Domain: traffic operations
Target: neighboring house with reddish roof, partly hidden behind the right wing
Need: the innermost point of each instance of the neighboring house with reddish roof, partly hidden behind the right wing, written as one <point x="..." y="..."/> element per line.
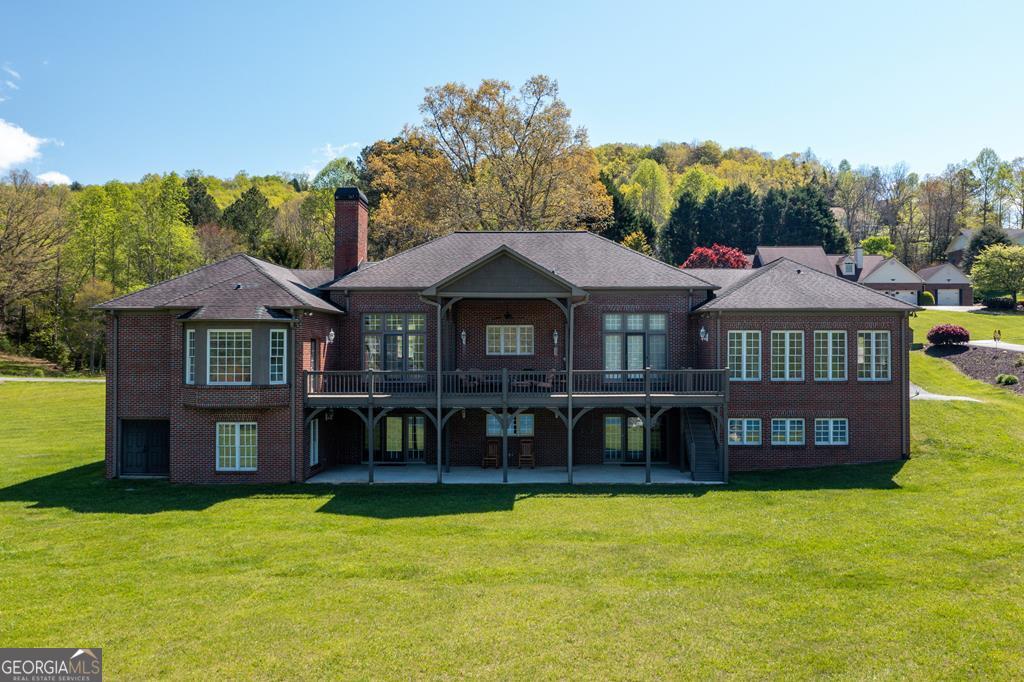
<point x="886" y="275"/>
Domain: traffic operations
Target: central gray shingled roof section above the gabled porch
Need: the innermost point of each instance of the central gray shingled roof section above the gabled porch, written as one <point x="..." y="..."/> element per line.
<point x="585" y="260"/>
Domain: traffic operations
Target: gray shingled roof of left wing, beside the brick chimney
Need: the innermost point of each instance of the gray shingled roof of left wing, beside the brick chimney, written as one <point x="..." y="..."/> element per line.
<point x="239" y="288"/>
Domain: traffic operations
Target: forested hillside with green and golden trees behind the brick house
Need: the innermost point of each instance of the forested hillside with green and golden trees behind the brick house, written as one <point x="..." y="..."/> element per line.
<point x="491" y="157"/>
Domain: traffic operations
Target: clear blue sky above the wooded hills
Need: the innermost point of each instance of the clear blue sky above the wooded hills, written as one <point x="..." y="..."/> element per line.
<point x="96" y="92"/>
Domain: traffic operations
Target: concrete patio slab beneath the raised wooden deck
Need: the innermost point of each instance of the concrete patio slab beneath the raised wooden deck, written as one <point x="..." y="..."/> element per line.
<point x="610" y="475"/>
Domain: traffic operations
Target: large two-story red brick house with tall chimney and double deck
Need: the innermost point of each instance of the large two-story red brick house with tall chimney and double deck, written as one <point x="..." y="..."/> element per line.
<point x="560" y="351"/>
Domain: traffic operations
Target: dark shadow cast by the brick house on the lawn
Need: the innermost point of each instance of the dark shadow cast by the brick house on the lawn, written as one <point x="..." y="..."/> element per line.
<point x="86" y="491"/>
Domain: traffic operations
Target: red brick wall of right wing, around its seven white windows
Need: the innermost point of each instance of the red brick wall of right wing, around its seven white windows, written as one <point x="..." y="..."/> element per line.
<point x="877" y="428"/>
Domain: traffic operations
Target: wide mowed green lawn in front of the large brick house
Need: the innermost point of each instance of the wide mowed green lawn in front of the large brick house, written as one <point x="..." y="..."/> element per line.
<point x="911" y="570"/>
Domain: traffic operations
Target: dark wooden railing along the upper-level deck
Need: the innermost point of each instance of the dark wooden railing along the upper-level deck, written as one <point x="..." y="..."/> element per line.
<point x="517" y="383"/>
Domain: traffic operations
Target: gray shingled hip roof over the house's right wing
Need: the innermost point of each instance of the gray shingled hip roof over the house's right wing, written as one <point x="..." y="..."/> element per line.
<point x="786" y="285"/>
